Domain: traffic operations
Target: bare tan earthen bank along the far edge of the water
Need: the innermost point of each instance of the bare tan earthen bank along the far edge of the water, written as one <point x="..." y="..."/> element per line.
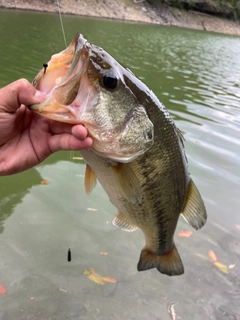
<point x="134" y="11"/>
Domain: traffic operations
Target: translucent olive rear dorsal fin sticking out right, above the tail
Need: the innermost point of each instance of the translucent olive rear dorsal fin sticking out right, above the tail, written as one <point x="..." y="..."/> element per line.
<point x="194" y="211"/>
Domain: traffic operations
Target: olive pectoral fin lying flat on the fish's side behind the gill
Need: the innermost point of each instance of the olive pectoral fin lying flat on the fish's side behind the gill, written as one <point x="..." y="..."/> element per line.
<point x="128" y="182"/>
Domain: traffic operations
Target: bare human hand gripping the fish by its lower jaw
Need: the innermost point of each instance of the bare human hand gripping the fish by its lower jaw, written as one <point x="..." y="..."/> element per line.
<point x="26" y="138"/>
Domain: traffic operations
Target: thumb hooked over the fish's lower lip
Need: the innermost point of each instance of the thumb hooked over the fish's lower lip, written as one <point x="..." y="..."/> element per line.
<point x="17" y="93"/>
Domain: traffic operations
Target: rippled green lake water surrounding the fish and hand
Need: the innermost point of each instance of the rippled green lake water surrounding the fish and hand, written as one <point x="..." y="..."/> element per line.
<point x="197" y="76"/>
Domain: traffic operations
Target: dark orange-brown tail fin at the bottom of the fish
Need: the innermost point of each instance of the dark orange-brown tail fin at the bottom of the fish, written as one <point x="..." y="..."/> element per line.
<point x="169" y="263"/>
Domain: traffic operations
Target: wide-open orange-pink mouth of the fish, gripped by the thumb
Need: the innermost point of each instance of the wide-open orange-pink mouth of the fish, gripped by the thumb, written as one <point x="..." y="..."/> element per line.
<point x="62" y="80"/>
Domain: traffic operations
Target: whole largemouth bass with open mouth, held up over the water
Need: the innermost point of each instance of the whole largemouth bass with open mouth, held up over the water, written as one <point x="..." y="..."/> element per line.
<point x="138" y="153"/>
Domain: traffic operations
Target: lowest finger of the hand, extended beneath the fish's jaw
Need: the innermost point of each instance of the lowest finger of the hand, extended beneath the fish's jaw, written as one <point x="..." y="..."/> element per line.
<point x="68" y="142"/>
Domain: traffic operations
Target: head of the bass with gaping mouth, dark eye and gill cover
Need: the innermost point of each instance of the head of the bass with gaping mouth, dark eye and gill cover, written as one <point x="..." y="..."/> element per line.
<point x="86" y="85"/>
